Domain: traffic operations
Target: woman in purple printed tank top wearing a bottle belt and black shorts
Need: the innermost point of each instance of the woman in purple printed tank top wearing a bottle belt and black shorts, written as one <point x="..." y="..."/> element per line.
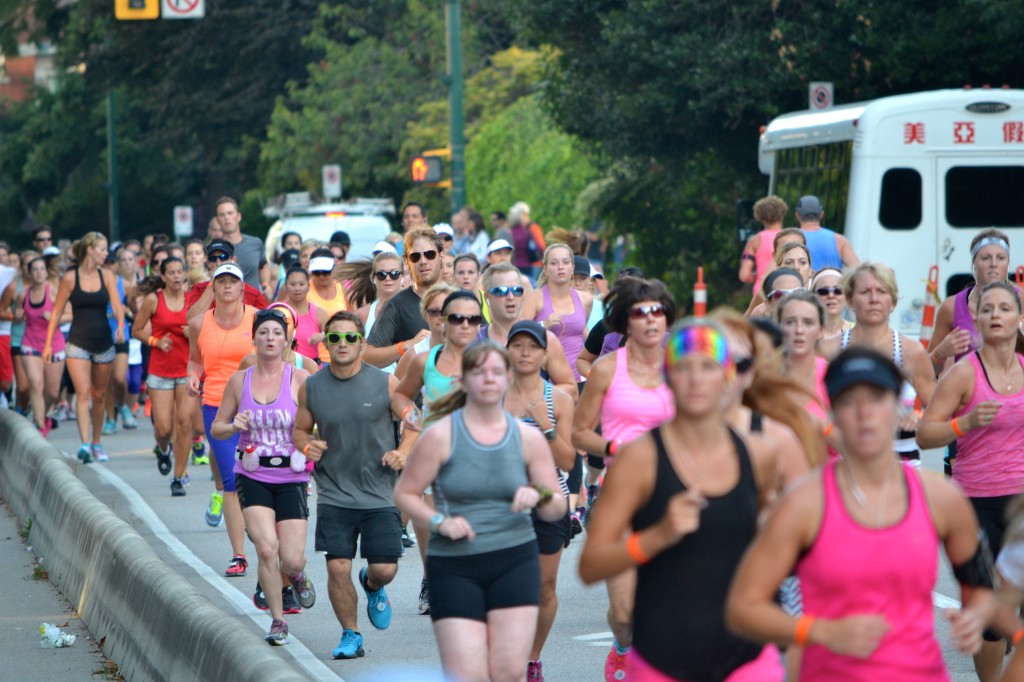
<point x="259" y="411"/>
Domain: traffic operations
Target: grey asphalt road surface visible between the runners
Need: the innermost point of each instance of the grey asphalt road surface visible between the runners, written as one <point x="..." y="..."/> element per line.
<point x="133" y="488"/>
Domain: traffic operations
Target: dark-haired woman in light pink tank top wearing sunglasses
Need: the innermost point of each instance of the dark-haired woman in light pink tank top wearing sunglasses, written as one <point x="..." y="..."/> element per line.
<point x="627" y="396"/>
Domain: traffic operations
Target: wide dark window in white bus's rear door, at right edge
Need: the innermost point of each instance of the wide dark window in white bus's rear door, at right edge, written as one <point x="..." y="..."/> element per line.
<point x="986" y="197"/>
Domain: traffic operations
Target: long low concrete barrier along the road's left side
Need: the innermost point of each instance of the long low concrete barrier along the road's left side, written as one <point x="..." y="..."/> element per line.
<point x="156" y="625"/>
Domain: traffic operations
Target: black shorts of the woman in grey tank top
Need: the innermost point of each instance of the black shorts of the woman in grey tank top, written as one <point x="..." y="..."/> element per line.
<point x="470" y="587"/>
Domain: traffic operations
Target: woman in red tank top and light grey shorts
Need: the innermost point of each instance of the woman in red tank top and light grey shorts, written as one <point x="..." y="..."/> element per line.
<point x="173" y="407"/>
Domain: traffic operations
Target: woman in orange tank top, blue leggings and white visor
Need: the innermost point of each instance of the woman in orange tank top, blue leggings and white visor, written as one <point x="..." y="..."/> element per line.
<point x="218" y="343"/>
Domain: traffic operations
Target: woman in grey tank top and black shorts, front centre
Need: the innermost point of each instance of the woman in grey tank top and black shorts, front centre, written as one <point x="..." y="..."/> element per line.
<point x="488" y="472"/>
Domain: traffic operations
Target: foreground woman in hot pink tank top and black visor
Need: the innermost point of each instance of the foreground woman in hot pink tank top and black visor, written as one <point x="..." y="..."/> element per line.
<point x="863" y="535"/>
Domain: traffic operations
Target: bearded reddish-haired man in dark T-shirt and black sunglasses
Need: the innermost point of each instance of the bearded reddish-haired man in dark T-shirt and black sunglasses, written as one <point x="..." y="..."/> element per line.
<point x="402" y="326"/>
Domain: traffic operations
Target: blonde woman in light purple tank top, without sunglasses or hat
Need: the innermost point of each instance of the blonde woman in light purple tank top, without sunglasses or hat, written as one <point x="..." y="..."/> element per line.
<point x="563" y="310"/>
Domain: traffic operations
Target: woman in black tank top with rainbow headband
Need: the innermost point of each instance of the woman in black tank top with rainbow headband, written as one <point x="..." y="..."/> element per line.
<point x="681" y="505"/>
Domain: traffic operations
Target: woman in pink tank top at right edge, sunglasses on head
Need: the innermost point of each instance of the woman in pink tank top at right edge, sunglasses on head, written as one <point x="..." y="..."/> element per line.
<point x="979" y="404"/>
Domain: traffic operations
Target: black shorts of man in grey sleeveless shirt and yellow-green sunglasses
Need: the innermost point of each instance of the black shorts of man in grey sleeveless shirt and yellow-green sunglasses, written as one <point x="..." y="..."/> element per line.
<point x="378" y="531"/>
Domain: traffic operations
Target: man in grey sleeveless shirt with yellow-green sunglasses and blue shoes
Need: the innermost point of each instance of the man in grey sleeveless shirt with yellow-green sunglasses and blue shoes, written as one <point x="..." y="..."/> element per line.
<point x="352" y="406"/>
